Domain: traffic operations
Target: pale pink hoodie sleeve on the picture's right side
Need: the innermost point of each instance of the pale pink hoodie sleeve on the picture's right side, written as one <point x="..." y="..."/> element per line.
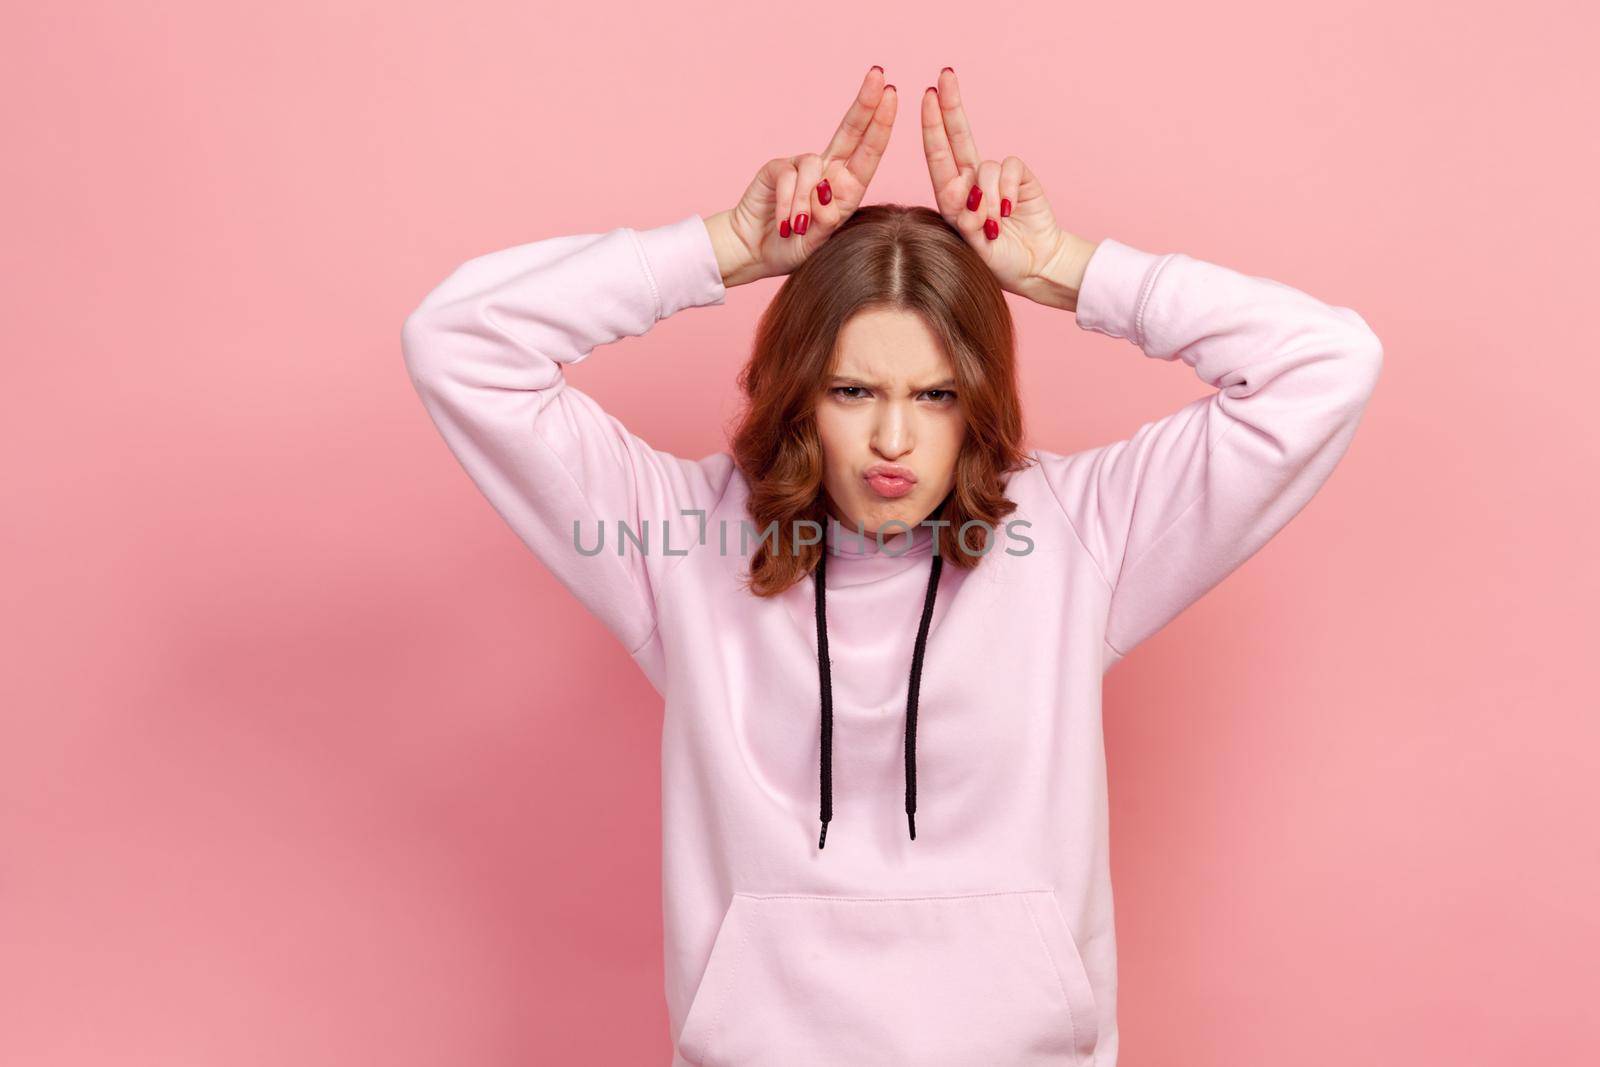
<point x="1169" y="513"/>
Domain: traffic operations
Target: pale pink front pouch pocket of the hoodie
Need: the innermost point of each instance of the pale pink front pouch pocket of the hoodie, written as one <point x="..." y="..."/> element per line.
<point x="982" y="978"/>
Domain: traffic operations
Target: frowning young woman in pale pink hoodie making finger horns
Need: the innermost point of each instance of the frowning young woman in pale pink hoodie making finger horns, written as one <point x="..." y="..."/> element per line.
<point x="879" y="621"/>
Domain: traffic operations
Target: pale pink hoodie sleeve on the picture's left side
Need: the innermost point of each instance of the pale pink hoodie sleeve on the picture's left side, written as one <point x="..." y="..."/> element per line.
<point x="487" y="351"/>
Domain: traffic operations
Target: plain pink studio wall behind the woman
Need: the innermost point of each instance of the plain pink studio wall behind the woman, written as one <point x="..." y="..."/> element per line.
<point x="305" y="759"/>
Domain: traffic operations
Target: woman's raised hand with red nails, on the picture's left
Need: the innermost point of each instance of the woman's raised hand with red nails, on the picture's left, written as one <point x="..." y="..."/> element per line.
<point x="796" y="202"/>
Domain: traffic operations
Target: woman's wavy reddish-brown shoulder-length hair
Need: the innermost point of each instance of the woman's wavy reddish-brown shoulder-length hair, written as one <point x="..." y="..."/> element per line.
<point x="884" y="257"/>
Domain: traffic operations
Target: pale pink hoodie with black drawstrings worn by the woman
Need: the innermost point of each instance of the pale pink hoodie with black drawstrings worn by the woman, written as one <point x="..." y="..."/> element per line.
<point x="990" y="938"/>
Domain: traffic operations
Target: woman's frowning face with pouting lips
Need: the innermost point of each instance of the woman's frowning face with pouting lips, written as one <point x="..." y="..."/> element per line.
<point x="889" y="410"/>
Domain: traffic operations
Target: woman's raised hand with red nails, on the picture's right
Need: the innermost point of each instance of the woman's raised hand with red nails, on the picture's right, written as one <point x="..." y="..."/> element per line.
<point x="1001" y="209"/>
